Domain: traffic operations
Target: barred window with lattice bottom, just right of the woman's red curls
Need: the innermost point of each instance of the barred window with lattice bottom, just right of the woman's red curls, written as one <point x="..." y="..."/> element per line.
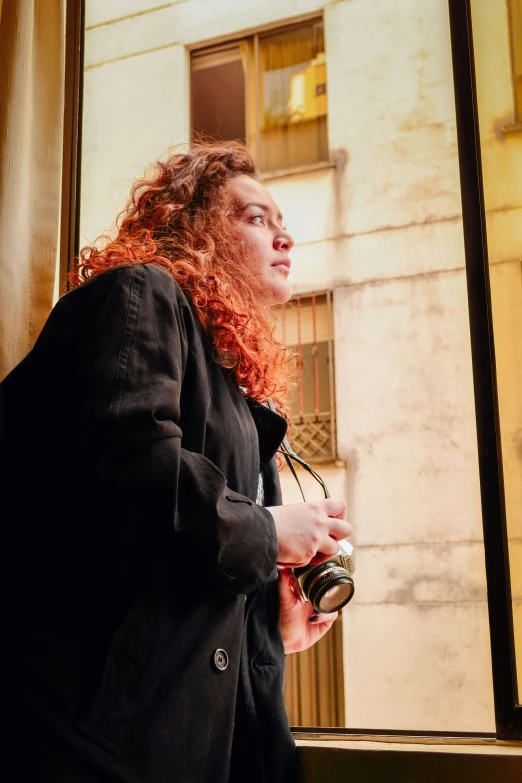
<point x="305" y="326"/>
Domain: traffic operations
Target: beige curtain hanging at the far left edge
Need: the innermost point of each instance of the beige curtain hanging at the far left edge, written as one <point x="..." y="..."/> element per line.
<point x="31" y="131"/>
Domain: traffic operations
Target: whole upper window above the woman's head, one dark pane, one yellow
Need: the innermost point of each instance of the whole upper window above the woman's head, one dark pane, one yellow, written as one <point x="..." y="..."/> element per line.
<point x="268" y="89"/>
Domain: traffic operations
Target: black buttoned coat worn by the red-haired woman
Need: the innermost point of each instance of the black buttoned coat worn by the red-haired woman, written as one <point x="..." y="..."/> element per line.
<point x="143" y="579"/>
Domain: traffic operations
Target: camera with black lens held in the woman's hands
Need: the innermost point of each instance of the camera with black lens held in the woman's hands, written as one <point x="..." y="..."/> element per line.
<point x="329" y="585"/>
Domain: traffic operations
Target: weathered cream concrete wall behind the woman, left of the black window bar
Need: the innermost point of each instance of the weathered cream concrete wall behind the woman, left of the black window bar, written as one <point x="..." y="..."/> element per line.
<point x="382" y="227"/>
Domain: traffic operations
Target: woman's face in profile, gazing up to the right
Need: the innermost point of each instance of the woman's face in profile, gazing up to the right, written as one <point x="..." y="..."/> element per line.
<point x="266" y="243"/>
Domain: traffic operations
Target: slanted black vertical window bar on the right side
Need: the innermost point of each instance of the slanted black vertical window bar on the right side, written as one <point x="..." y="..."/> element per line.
<point x="508" y="712"/>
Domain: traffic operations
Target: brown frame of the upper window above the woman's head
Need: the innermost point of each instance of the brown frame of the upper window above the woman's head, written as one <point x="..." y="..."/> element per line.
<point x="252" y="108"/>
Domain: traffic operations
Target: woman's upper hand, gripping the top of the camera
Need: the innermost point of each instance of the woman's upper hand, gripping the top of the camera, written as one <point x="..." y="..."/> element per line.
<point x="308" y="532"/>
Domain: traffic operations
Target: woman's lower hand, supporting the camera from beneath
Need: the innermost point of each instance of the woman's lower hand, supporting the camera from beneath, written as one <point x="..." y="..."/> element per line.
<point x="300" y="626"/>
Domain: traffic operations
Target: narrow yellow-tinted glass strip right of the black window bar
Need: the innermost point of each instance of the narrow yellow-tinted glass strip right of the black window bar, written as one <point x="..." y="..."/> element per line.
<point x="501" y="166"/>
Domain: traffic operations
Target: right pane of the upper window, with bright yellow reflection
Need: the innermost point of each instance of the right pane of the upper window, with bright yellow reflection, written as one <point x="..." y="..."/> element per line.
<point x="293" y="99"/>
